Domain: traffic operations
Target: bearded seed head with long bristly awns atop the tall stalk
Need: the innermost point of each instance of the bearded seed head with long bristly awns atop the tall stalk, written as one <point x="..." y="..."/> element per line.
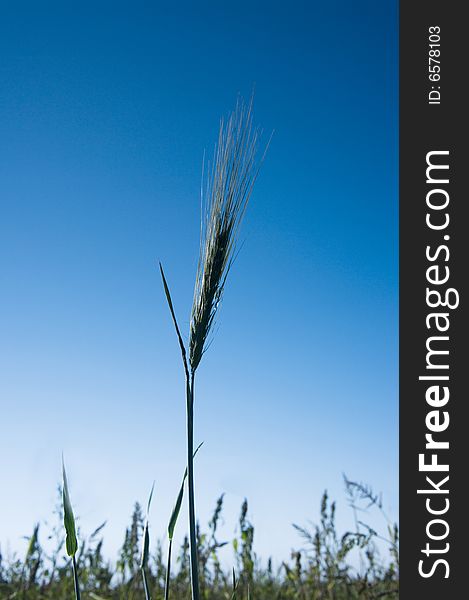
<point x="234" y="171"/>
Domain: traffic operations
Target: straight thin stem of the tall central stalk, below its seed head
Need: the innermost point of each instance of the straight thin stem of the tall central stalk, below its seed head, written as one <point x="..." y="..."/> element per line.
<point x="190" y="483"/>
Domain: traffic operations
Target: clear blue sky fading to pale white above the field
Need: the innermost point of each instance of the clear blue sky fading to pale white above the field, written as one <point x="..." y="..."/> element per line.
<point x="105" y="112"/>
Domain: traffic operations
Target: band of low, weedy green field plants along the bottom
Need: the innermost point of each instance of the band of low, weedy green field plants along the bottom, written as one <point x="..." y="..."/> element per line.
<point x="361" y="563"/>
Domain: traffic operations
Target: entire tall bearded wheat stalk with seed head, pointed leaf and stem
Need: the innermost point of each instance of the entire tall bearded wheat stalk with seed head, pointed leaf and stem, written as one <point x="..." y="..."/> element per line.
<point x="234" y="171"/>
